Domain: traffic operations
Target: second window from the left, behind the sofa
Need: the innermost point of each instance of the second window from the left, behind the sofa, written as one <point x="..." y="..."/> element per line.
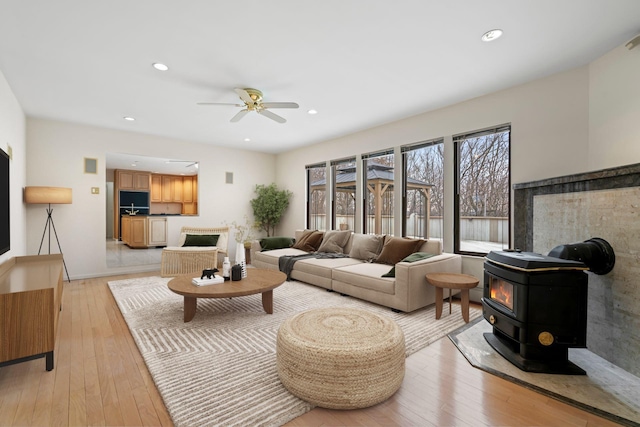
<point x="344" y="193"/>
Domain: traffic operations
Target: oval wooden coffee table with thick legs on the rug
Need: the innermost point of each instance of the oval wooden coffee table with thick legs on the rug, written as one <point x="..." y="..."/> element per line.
<point x="257" y="281"/>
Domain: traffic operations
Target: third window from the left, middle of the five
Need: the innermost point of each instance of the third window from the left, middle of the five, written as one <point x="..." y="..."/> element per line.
<point x="378" y="192"/>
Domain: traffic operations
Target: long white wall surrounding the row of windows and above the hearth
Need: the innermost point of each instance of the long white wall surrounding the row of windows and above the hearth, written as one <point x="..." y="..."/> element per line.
<point x="576" y="121"/>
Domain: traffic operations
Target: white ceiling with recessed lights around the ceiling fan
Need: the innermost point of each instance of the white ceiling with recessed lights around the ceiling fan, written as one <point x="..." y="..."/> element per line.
<point x="360" y="63"/>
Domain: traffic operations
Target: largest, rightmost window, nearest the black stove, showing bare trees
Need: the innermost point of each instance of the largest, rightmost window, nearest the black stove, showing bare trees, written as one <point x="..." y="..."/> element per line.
<point x="482" y="191"/>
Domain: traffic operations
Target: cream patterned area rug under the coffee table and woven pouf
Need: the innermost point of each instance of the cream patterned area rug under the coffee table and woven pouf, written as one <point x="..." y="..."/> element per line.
<point x="220" y="368"/>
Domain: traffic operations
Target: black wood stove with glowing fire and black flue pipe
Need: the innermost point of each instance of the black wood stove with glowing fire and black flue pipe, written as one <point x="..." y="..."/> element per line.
<point x="537" y="304"/>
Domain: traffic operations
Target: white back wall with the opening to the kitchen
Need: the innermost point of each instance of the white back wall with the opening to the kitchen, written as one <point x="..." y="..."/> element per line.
<point x="56" y="152"/>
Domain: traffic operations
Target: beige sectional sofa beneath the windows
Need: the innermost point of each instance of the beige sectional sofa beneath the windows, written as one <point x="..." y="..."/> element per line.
<point x="407" y="291"/>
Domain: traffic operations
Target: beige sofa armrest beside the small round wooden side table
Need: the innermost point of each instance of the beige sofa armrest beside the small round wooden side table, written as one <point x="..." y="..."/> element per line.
<point x="411" y="281"/>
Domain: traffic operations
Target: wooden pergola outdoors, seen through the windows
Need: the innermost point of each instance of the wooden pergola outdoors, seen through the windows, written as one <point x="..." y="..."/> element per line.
<point x="379" y="182"/>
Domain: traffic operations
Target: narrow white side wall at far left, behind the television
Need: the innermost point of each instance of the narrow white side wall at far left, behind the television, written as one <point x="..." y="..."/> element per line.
<point x="12" y="133"/>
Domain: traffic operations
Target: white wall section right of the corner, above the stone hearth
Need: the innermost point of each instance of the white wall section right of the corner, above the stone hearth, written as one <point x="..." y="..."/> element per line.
<point x="614" y="109"/>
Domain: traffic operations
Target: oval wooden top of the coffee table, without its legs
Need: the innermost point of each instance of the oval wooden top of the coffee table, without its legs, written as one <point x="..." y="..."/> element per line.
<point x="257" y="281"/>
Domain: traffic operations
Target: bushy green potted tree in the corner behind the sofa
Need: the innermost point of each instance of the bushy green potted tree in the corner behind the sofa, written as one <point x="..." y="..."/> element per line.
<point x="269" y="206"/>
